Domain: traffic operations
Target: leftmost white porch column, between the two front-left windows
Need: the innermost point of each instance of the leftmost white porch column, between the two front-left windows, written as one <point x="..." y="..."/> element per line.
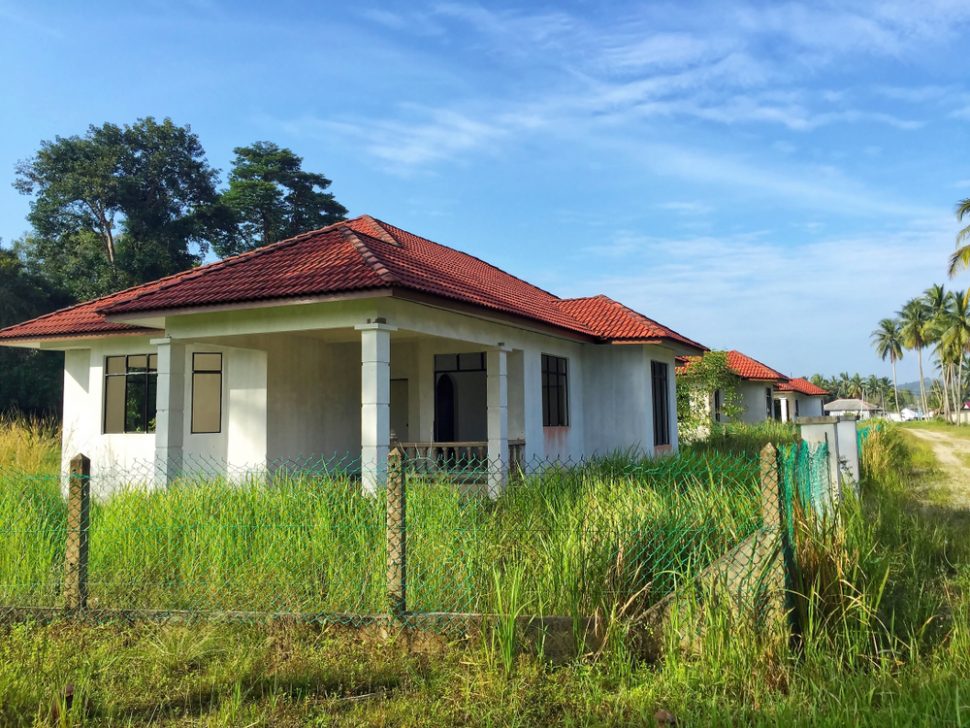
<point x="169" y="409"/>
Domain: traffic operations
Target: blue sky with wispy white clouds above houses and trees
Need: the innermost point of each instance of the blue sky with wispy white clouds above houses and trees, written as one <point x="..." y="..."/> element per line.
<point x="771" y="177"/>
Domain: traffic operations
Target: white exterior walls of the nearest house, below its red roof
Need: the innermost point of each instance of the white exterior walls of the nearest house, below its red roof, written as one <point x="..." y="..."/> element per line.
<point x="292" y="389"/>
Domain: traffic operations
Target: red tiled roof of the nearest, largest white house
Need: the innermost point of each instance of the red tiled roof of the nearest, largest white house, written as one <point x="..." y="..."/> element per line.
<point x="363" y="254"/>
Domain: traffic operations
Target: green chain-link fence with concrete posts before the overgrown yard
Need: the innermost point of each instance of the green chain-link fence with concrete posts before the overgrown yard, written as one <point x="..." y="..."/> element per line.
<point x="306" y="539"/>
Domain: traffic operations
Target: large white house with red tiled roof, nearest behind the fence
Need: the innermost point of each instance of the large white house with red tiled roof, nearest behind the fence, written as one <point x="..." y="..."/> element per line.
<point x="325" y="344"/>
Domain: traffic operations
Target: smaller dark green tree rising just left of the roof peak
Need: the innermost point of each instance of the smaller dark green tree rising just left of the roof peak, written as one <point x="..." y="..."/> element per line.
<point x="273" y="197"/>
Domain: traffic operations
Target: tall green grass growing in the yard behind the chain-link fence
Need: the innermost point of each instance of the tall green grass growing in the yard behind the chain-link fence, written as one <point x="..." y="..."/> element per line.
<point x="579" y="539"/>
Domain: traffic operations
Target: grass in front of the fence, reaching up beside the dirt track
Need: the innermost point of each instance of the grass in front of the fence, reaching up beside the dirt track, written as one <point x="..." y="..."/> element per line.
<point x="886" y="641"/>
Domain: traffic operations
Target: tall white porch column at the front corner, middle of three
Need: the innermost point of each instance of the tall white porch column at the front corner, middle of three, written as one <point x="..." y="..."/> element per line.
<point x="375" y="403"/>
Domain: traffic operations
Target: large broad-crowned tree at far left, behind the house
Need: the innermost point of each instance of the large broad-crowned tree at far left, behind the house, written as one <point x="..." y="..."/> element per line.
<point x="130" y="204"/>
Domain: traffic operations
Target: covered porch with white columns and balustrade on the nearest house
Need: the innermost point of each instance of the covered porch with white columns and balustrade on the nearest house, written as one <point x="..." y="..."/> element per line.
<point x="347" y="395"/>
